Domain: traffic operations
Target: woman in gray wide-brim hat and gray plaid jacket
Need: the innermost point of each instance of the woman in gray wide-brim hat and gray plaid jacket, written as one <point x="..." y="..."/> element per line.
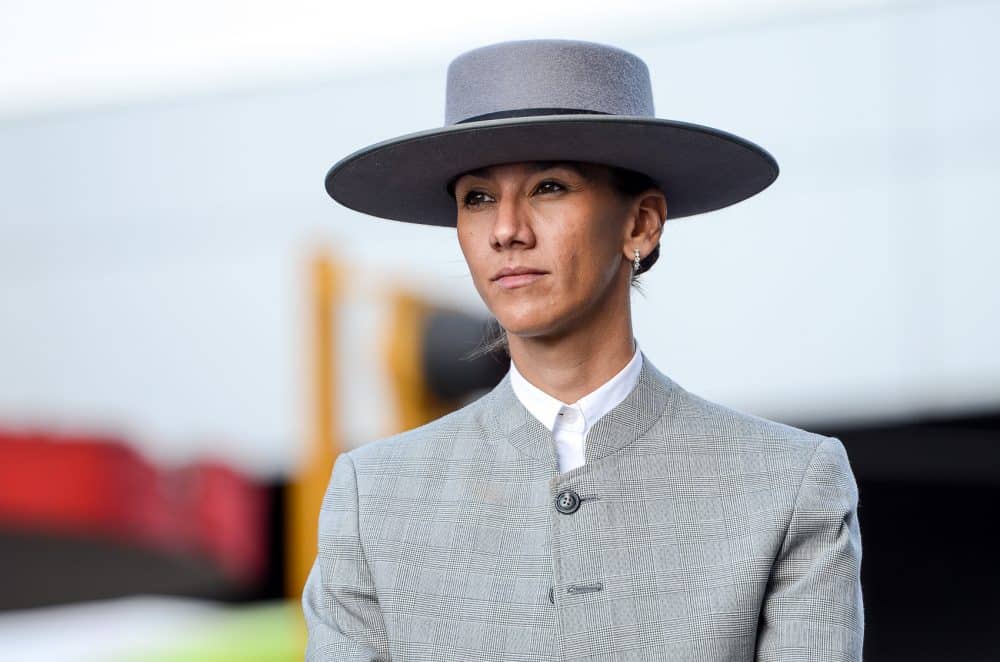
<point x="640" y="522"/>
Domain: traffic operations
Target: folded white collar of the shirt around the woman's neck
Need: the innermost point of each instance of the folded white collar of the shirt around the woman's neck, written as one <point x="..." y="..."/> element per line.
<point x="592" y="406"/>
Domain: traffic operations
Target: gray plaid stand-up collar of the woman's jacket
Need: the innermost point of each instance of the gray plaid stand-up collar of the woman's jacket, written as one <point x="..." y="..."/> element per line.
<point x="626" y="422"/>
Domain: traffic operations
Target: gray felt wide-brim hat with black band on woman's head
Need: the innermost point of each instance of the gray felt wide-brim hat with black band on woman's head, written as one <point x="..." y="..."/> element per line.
<point x="549" y="100"/>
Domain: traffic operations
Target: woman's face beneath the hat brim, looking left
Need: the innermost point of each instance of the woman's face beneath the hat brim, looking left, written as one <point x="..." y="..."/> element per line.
<point x="559" y="227"/>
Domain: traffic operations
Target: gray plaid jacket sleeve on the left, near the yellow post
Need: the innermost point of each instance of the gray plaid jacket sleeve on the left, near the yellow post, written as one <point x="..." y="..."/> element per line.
<point x="343" y="620"/>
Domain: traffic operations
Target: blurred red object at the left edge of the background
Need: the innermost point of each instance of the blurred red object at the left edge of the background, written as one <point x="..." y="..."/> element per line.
<point x="101" y="487"/>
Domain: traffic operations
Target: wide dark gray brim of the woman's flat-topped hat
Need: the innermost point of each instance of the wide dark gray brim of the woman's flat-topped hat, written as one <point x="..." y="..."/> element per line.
<point x="699" y="168"/>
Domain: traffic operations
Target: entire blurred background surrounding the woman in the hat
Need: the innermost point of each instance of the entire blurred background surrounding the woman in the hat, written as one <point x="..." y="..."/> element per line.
<point x="190" y="329"/>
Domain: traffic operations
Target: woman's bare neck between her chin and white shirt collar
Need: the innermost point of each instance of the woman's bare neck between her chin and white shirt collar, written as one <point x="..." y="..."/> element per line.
<point x="575" y="364"/>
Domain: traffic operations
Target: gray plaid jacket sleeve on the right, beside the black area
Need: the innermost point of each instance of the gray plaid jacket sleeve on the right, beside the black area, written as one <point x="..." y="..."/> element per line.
<point x="813" y="609"/>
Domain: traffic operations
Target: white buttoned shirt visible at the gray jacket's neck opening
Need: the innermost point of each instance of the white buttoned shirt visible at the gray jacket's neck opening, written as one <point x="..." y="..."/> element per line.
<point x="570" y="423"/>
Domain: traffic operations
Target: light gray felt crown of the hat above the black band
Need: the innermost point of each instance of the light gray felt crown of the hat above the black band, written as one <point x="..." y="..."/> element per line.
<point x="546" y="77"/>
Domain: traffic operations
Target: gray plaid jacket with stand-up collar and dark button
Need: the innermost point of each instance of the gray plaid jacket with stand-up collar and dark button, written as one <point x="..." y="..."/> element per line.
<point x="693" y="532"/>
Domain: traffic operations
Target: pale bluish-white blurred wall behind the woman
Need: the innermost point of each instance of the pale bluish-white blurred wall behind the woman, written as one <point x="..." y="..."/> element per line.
<point x="152" y="255"/>
